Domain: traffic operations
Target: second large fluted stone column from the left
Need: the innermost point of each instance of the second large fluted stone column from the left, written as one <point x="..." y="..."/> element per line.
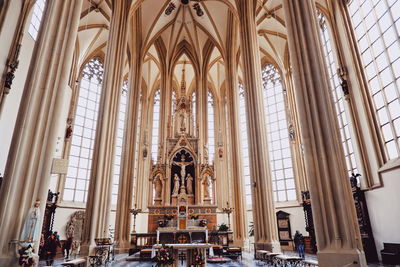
<point x="99" y="196"/>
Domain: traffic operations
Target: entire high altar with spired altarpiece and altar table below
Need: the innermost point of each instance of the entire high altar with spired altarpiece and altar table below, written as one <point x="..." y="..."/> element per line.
<point x="183" y="191"/>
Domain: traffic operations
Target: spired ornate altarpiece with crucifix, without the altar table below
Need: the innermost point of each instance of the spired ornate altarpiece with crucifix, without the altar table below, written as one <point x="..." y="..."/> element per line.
<point x="182" y="175"/>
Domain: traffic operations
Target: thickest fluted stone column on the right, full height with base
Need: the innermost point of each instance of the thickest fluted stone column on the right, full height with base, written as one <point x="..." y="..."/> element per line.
<point x="335" y="220"/>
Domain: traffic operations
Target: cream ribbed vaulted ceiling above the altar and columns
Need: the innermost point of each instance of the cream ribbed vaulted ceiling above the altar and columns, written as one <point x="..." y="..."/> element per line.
<point x="183" y="25"/>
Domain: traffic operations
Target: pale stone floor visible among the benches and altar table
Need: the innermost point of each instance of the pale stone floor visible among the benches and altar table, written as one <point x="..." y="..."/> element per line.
<point x="247" y="261"/>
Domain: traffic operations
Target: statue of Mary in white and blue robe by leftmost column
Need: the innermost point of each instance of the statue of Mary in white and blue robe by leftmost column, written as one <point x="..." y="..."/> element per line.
<point x="30" y="232"/>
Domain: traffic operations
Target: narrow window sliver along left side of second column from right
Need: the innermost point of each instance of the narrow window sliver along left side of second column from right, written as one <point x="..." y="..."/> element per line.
<point x="245" y="145"/>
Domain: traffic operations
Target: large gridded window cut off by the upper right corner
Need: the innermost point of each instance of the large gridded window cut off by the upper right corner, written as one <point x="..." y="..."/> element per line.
<point x="376" y="25"/>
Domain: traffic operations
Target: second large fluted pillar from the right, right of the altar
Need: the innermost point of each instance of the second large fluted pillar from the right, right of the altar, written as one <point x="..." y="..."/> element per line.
<point x="265" y="227"/>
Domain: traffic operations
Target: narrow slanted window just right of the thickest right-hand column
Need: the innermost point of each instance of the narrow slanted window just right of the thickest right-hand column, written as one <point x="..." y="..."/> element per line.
<point x="337" y="95"/>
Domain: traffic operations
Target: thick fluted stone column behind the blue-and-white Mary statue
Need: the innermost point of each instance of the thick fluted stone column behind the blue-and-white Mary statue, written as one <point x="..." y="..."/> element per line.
<point x="27" y="173"/>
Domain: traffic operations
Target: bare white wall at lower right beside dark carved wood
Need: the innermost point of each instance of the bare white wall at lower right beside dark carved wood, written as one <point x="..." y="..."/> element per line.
<point x="384" y="209"/>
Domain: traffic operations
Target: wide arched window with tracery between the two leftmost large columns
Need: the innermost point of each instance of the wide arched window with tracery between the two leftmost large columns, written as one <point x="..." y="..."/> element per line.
<point x="80" y="157"/>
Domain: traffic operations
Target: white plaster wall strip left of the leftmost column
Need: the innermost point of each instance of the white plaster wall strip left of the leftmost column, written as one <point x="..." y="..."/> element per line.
<point x="11" y="106"/>
